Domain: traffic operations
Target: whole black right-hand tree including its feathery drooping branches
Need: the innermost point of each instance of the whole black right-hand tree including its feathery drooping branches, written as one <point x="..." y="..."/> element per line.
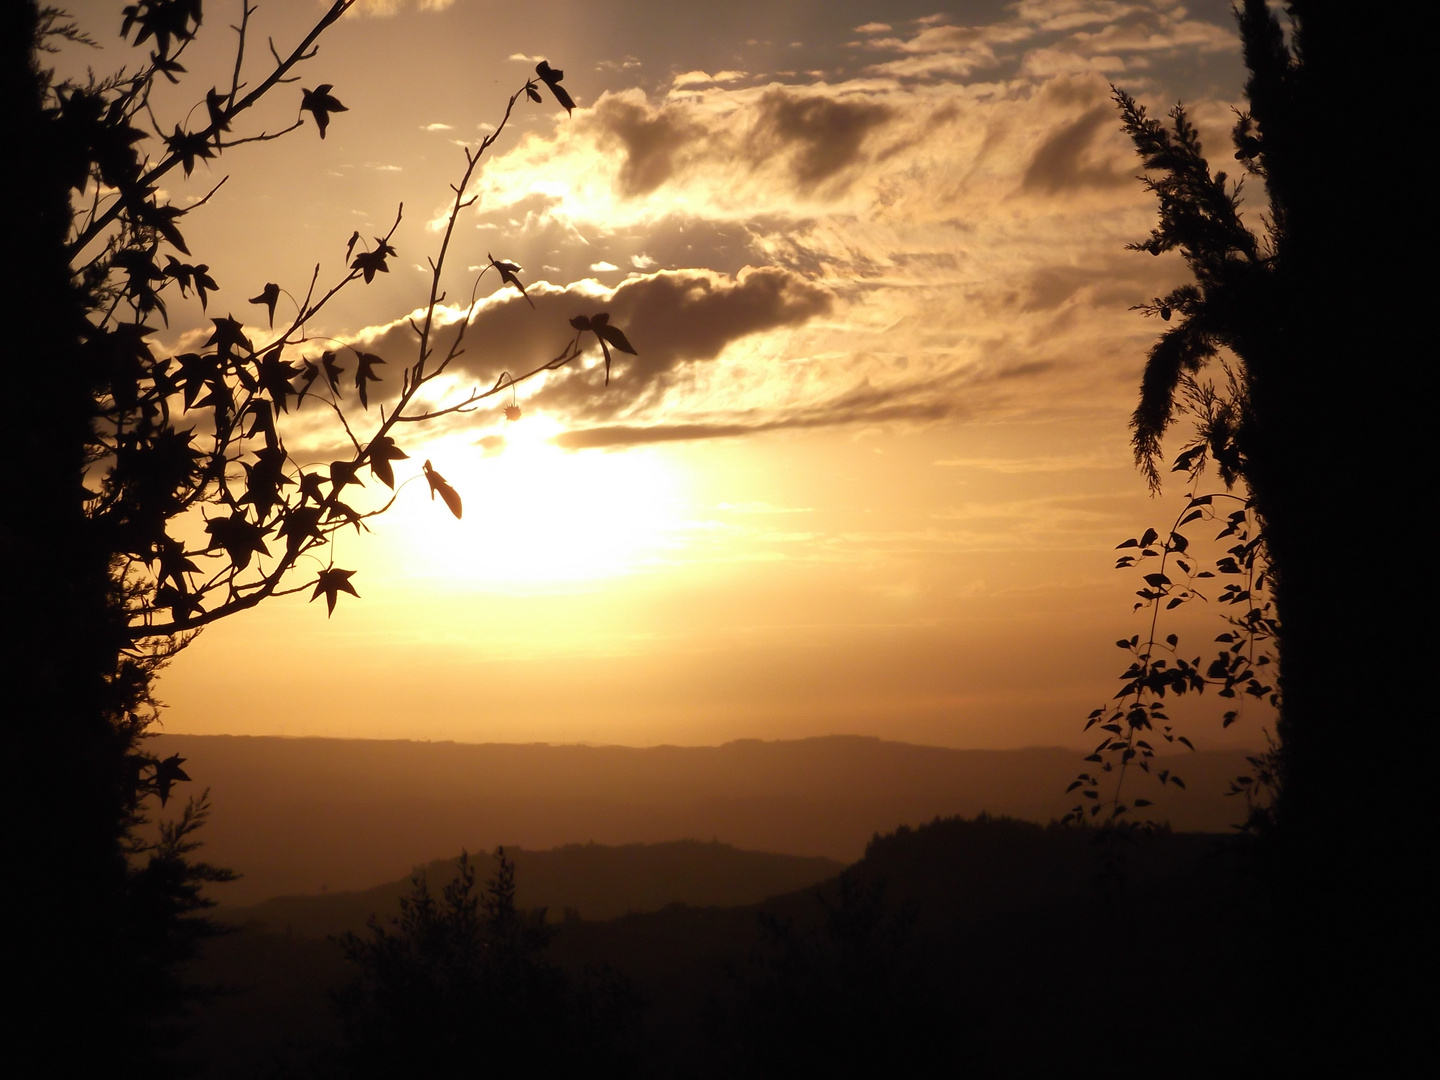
<point x="1288" y="348"/>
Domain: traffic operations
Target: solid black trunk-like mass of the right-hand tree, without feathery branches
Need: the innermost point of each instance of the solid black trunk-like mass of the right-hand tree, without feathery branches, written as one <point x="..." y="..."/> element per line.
<point x="1334" y="467"/>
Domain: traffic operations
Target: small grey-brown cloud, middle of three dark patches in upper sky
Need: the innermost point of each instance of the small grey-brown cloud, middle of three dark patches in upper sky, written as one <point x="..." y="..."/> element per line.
<point x="822" y="136"/>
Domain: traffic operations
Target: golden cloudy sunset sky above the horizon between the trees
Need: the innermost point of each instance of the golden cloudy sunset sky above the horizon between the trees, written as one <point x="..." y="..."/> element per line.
<point x="870" y="464"/>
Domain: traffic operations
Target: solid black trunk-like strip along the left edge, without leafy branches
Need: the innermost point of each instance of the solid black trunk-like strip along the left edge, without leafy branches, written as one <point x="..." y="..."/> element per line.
<point x="71" y="974"/>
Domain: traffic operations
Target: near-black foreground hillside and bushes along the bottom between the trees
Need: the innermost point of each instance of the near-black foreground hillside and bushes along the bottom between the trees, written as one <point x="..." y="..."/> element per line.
<point x="983" y="947"/>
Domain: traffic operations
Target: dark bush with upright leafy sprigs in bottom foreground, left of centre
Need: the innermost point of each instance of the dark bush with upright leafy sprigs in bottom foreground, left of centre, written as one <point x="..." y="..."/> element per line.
<point x="460" y="986"/>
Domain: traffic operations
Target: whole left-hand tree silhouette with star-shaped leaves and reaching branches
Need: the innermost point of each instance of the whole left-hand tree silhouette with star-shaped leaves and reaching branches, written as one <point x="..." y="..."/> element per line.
<point x="149" y="496"/>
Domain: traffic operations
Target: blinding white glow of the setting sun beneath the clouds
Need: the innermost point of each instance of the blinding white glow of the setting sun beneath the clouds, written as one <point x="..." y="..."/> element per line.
<point x="534" y="513"/>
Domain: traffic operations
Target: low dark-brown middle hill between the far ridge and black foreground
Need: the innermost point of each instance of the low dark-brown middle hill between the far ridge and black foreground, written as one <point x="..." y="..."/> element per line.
<point x="578" y="881"/>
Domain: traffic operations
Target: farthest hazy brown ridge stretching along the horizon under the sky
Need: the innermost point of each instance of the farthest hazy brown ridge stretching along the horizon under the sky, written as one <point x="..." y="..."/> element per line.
<point x="299" y="816"/>
